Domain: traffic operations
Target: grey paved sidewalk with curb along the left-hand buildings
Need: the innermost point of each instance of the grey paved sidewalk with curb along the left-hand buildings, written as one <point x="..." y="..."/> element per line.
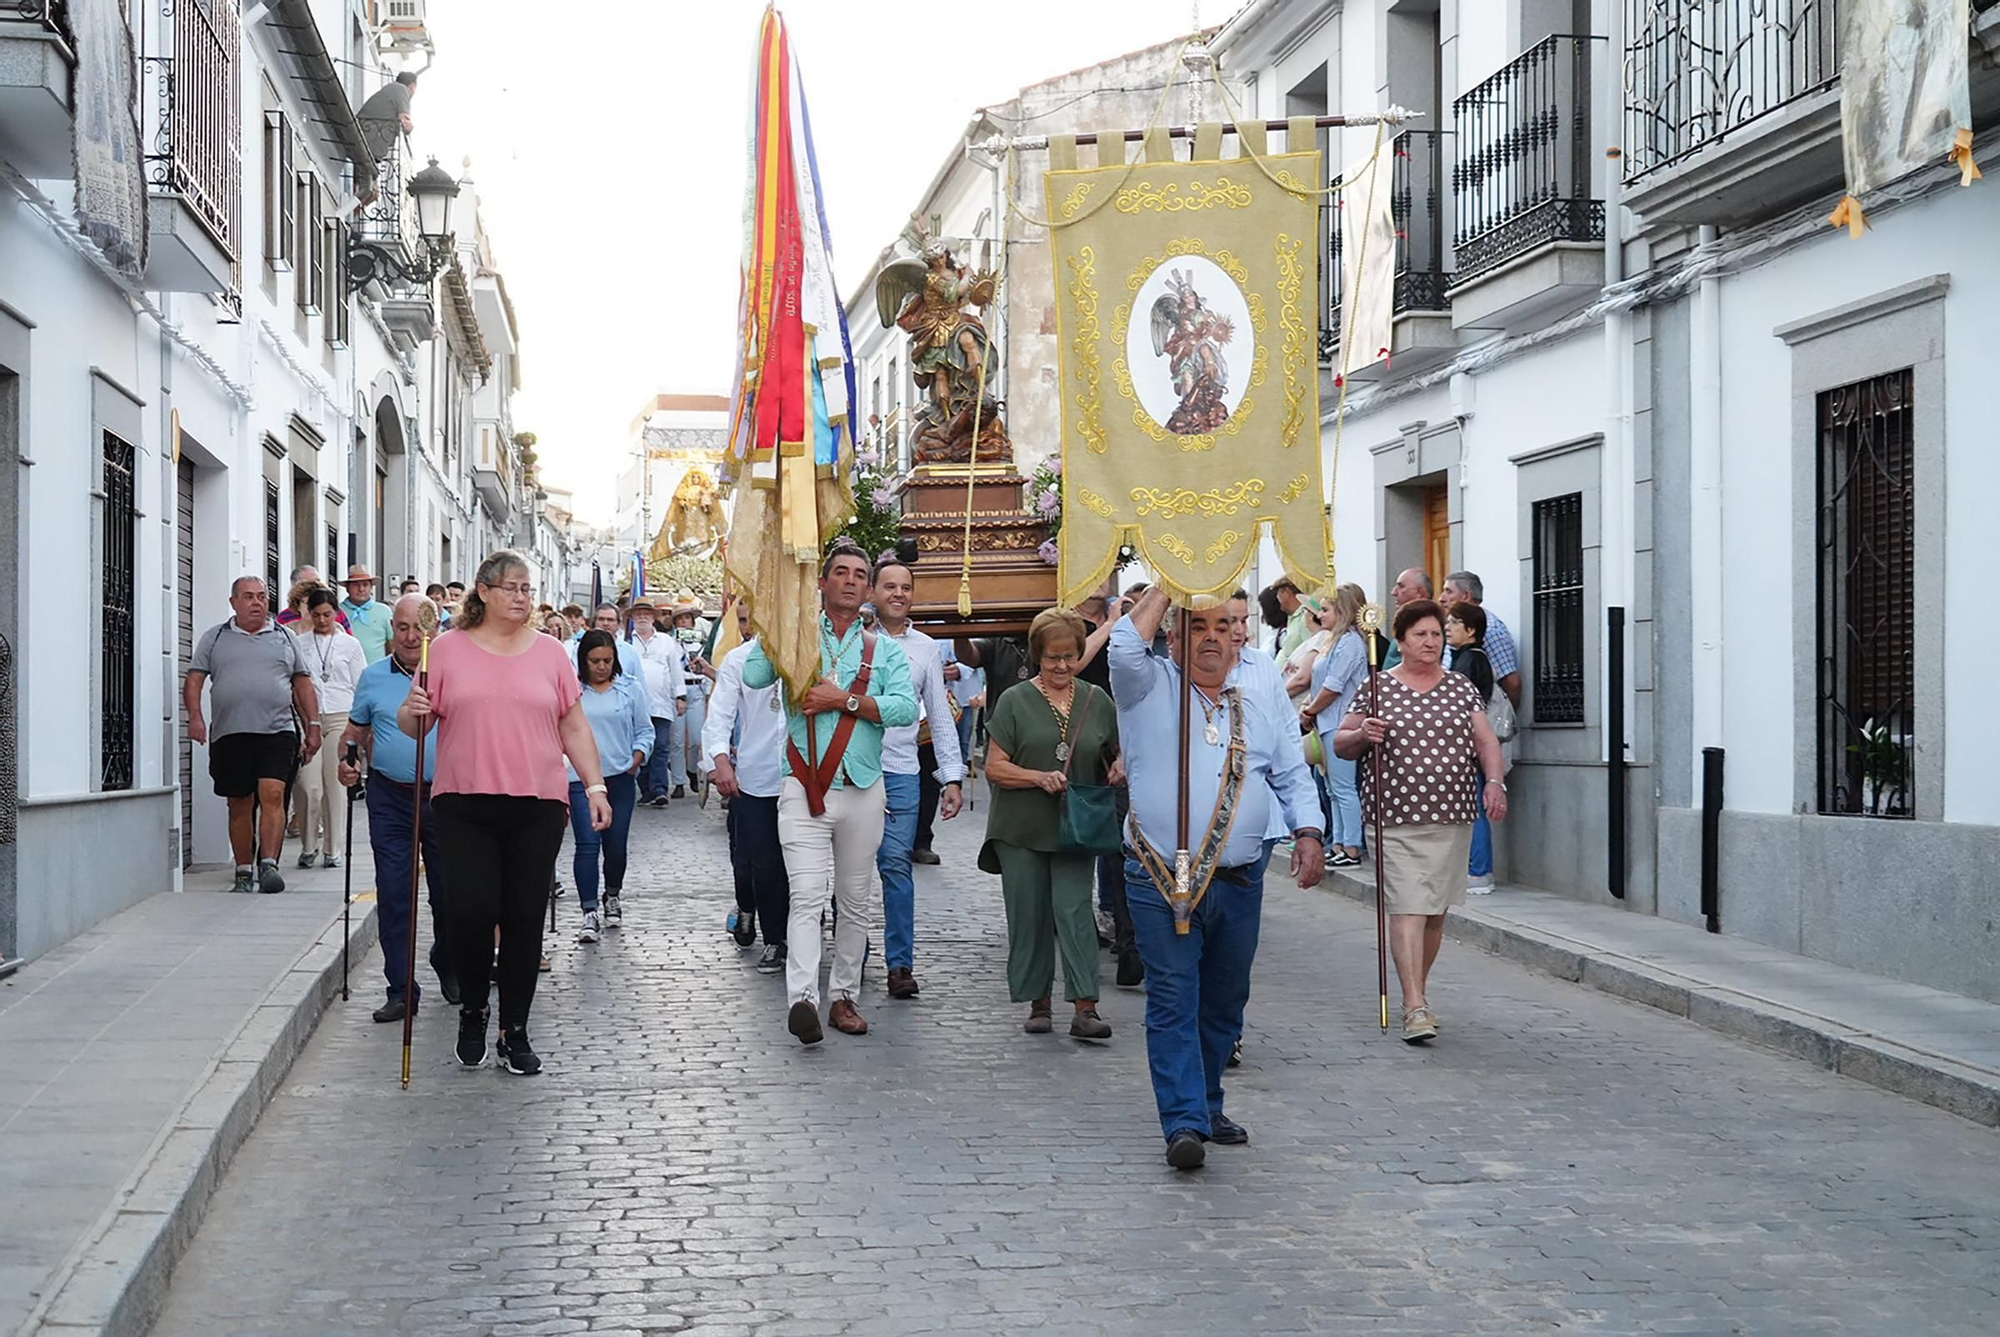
<point x="139" y="1056"/>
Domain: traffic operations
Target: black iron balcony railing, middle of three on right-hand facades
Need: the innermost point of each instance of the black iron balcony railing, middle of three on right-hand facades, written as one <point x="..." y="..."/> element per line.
<point x="1523" y="175"/>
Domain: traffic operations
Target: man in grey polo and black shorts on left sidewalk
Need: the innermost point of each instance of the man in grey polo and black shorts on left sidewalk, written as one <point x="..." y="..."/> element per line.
<point x="259" y="696"/>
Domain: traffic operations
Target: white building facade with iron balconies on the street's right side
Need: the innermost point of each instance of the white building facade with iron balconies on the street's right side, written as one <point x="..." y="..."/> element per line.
<point x="1697" y="445"/>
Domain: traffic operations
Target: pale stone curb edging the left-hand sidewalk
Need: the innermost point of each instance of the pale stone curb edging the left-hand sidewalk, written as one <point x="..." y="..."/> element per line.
<point x="115" y="1282"/>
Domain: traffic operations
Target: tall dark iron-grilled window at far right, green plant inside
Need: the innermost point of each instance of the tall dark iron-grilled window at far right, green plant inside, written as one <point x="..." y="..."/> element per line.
<point x="1867" y="589"/>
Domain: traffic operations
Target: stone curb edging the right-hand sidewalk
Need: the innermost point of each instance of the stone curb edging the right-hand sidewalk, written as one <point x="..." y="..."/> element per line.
<point x="1933" y="1080"/>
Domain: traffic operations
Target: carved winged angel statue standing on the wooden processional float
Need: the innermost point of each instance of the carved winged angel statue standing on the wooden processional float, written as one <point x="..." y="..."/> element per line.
<point x="951" y="353"/>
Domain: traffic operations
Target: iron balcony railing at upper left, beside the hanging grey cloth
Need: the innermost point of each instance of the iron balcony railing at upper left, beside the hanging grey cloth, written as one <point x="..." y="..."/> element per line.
<point x="193" y="119"/>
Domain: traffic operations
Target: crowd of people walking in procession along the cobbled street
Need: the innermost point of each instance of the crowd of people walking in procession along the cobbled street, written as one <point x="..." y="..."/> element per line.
<point x="541" y="722"/>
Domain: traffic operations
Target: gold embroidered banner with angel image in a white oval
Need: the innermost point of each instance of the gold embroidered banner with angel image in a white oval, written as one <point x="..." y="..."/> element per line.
<point x="1187" y="321"/>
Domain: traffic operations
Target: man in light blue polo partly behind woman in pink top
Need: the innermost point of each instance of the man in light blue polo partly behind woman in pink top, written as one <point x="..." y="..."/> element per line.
<point x="393" y="796"/>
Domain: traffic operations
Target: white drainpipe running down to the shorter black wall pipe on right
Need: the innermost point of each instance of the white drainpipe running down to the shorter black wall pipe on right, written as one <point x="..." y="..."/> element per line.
<point x="1705" y="509"/>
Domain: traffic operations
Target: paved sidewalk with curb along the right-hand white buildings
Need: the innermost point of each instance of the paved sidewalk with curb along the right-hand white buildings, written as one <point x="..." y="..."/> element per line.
<point x="1925" y="1044"/>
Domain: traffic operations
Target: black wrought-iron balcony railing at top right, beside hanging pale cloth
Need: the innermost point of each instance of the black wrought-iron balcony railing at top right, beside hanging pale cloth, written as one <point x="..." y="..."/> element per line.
<point x="1701" y="71"/>
